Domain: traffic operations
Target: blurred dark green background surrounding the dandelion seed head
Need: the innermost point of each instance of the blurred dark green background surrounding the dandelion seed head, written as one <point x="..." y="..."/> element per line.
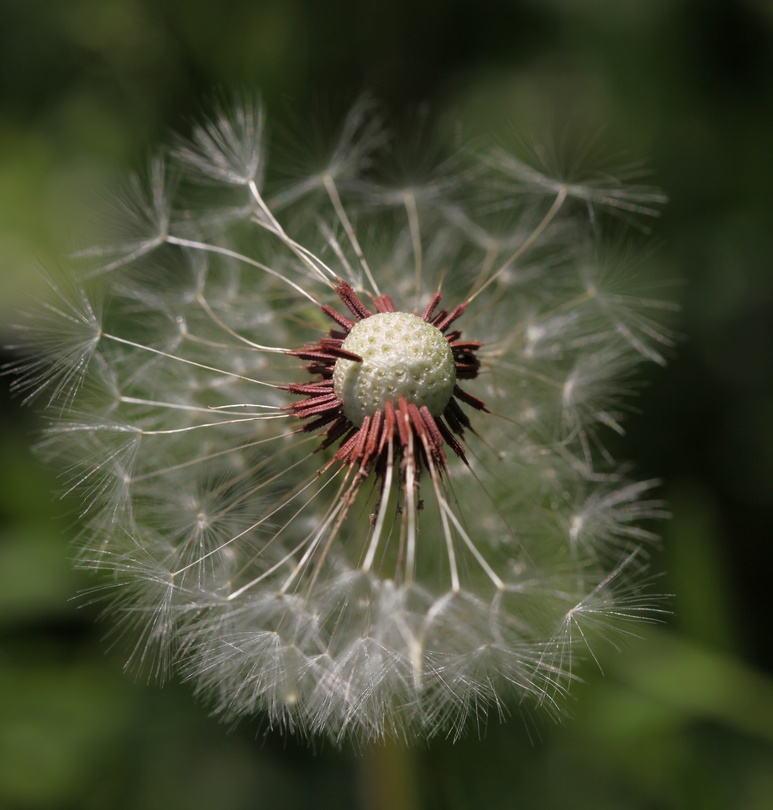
<point x="683" y="718"/>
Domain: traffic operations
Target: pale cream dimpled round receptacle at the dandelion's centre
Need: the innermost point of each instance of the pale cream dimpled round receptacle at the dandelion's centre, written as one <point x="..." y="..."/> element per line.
<point x="402" y="356"/>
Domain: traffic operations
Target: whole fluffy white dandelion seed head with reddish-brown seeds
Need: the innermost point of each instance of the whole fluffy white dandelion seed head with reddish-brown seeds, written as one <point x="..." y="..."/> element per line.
<point x="340" y="441"/>
